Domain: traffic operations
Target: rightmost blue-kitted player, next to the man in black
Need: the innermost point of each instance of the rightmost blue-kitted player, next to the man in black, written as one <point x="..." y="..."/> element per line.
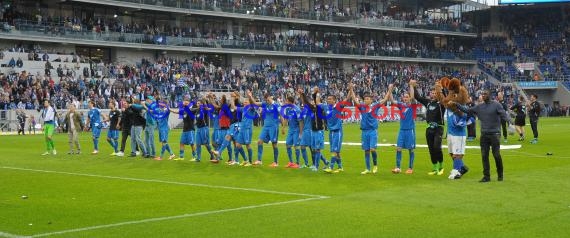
<point x="407" y="133"/>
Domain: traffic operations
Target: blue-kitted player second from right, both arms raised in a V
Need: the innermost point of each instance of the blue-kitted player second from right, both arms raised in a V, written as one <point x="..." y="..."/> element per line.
<point x="369" y="126"/>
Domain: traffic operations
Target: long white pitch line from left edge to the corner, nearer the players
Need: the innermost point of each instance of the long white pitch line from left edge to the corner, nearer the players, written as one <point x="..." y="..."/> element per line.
<point x="168" y="182"/>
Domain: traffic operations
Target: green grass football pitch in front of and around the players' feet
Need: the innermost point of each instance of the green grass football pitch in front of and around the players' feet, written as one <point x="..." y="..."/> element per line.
<point x="103" y="196"/>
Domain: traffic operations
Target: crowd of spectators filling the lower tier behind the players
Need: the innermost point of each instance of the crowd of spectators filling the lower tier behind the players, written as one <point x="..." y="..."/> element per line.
<point x="171" y="79"/>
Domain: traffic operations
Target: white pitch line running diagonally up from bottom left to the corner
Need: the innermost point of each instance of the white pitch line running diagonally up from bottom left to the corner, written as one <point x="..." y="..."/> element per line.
<point x="175" y="217"/>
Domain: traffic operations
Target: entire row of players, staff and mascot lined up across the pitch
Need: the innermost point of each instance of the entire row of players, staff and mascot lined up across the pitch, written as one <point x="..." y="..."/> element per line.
<point x="306" y="117"/>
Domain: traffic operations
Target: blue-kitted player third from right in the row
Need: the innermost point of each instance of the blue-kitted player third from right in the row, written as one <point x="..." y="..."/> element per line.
<point x="335" y="114"/>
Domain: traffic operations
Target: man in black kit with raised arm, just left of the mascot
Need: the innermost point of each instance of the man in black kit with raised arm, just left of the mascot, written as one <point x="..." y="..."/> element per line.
<point x="434" y="131"/>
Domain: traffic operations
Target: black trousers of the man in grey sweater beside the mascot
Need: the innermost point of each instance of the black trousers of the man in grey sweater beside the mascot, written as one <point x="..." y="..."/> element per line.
<point x="491" y="141"/>
